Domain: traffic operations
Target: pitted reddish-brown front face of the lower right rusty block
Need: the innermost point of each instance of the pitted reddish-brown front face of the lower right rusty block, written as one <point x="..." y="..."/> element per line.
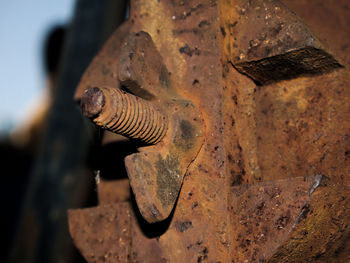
<point x="263" y="215"/>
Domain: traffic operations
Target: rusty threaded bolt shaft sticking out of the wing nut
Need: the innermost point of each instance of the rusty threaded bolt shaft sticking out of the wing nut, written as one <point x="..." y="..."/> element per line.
<point x="124" y="113"/>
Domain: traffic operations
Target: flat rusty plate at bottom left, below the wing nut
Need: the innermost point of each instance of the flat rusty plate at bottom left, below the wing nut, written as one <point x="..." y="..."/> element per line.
<point x="102" y="234"/>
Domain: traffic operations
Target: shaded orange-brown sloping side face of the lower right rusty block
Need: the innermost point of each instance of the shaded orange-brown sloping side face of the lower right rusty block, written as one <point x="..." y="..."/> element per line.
<point x="322" y="233"/>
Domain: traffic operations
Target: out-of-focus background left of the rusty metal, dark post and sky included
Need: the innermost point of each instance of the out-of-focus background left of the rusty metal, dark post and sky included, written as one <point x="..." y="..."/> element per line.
<point x="47" y="150"/>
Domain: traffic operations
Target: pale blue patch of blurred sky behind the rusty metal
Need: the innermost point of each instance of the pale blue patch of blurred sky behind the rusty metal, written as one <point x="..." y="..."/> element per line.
<point x="23" y="27"/>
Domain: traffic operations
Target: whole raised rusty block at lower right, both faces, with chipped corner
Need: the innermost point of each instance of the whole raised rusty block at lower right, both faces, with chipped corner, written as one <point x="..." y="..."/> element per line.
<point x="265" y="215"/>
